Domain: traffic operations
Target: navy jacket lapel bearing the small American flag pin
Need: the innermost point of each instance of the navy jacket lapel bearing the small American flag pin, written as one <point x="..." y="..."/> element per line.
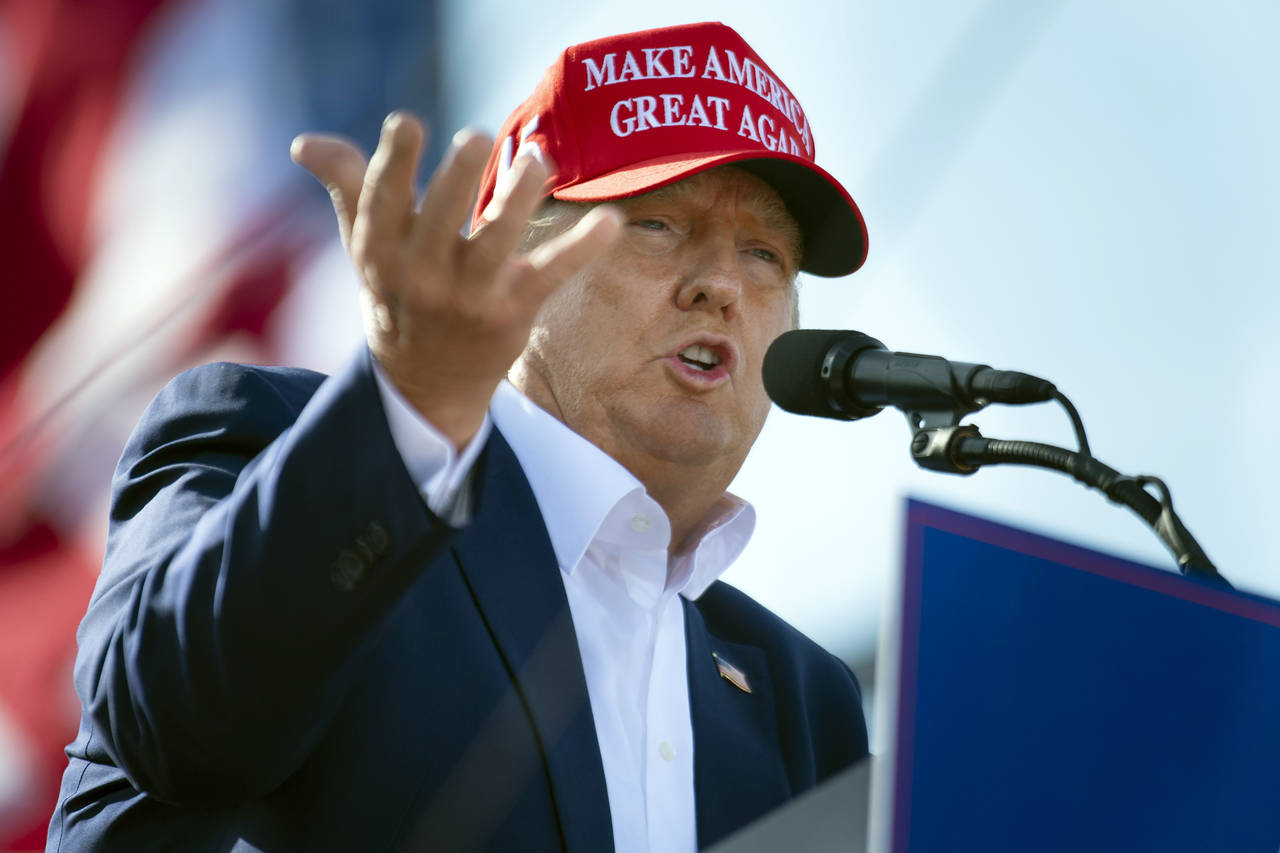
<point x="738" y="768"/>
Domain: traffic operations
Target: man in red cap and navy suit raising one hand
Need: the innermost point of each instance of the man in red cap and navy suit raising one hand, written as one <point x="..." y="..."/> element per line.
<point x="417" y="606"/>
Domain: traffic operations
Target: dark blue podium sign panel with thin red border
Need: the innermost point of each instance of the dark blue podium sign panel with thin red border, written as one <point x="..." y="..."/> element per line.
<point x="1057" y="699"/>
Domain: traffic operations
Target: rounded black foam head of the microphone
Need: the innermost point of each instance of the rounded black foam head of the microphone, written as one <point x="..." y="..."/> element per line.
<point x="798" y="376"/>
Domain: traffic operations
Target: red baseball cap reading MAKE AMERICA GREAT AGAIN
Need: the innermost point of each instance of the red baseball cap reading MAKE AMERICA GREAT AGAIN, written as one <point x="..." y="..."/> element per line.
<point x="633" y="113"/>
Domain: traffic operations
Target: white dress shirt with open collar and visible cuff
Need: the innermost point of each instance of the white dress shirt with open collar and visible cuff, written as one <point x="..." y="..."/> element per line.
<point x="611" y="541"/>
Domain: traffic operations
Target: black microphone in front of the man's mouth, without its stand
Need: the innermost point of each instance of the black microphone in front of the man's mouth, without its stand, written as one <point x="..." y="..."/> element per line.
<point x="834" y="373"/>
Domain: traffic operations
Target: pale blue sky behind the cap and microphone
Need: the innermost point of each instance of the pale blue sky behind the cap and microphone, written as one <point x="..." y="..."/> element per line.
<point x="1085" y="191"/>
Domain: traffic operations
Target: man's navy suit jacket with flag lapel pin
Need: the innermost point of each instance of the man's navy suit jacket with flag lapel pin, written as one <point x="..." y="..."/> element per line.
<point x="289" y="651"/>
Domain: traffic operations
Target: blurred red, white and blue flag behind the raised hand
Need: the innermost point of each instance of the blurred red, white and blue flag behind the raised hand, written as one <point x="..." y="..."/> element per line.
<point x="150" y="220"/>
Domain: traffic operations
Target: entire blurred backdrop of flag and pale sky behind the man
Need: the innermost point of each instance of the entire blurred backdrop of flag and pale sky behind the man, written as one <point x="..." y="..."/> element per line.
<point x="1086" y="191"/>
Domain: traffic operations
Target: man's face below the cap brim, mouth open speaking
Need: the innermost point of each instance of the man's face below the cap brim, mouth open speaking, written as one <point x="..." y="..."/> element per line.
<point x="653" y="352"/>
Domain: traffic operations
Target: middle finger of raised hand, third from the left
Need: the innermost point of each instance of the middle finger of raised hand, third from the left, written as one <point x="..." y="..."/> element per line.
<point x="447" y="204"/>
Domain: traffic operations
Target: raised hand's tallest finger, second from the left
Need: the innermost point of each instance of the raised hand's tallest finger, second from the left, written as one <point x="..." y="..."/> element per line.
<point x="386" y="207"/>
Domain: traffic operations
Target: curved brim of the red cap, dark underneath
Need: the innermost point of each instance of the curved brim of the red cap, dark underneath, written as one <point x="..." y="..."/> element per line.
<point x="835" y="235"/>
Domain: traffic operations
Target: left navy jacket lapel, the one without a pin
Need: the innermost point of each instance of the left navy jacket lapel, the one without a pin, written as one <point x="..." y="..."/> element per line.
<point x="511" y="569"/>
